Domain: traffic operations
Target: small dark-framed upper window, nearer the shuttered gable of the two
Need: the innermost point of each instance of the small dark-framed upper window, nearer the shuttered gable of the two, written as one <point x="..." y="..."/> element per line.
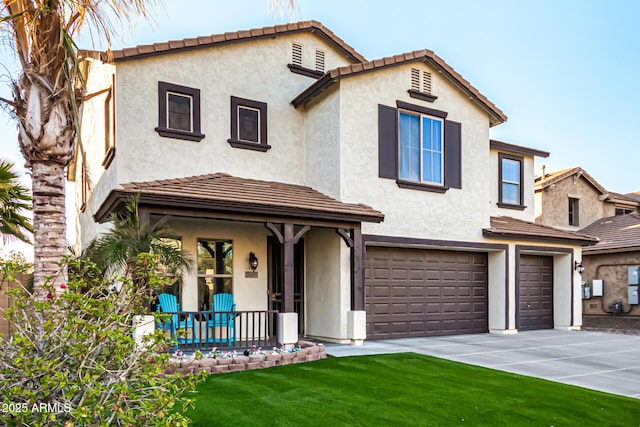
<point x="248" y="124"/>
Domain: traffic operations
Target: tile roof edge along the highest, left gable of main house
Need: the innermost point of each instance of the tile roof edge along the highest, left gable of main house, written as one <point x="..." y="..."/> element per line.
<point x="235" y="36"/>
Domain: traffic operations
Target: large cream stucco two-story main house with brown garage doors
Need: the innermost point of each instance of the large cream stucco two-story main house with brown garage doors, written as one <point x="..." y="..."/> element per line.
<point x="369" y="191"/>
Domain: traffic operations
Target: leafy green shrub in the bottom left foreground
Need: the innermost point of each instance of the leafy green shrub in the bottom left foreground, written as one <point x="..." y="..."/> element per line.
<point x="73" y="359"/>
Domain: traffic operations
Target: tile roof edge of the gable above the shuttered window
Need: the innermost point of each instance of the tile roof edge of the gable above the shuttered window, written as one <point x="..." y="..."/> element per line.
<point x="419" y="55"/>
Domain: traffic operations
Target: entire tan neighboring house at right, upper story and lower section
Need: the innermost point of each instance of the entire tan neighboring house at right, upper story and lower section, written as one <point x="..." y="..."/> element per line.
<point x="572" y="199"/>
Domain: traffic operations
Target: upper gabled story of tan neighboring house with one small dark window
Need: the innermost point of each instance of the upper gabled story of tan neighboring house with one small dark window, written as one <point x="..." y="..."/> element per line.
<point x="571" y="199"/>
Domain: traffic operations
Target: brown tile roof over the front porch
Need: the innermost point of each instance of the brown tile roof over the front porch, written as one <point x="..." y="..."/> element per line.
<point x="222" y="192"/>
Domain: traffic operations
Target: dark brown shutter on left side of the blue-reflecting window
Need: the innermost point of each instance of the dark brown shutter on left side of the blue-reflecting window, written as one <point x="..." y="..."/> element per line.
<point x="387" y="142"/>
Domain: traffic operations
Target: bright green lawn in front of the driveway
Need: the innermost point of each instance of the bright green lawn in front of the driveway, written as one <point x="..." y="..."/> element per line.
<point x="401" y="390"/>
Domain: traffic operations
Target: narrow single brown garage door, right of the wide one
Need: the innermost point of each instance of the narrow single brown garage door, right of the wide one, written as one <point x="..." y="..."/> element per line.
<point x="535" y="292"/>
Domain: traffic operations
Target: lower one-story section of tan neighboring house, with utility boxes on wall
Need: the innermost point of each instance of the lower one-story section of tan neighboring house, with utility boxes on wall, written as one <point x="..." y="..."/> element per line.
<point x="615" y="260"/>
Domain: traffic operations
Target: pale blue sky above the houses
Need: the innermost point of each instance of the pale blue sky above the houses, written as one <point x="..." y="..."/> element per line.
<point x="563" y="71"/>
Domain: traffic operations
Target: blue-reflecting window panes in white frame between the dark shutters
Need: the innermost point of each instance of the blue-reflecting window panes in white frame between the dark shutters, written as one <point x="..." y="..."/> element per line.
<point x="421" y="148"/>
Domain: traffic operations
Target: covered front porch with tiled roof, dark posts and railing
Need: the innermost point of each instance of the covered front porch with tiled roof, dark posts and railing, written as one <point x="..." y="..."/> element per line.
<point x="290" y="257"/>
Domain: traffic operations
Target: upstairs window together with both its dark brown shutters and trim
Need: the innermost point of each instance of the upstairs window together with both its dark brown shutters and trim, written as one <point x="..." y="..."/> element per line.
<point x="419" y="148"/>
